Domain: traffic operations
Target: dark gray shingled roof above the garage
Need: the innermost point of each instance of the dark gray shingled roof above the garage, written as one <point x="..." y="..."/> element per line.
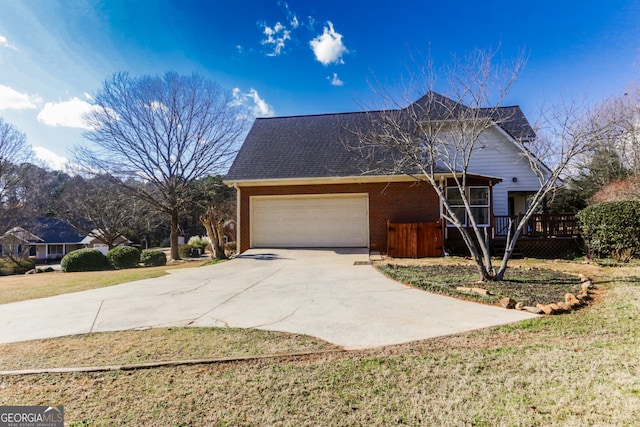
<point x="313" y="146"/>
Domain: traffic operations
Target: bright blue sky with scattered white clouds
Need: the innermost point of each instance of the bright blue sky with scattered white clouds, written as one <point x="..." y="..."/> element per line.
<point x="297" y="57"/>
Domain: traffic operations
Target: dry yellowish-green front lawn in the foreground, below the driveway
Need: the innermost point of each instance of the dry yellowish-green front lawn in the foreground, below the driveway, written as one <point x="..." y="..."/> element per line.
<point x="573" y="370"/>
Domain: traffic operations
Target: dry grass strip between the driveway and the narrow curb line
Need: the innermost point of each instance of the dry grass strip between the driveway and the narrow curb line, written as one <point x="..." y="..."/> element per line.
<point x="151" y="345"/>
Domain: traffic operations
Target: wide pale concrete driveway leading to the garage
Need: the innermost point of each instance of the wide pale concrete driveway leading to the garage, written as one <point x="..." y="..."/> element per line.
<point x="315" y="292"/>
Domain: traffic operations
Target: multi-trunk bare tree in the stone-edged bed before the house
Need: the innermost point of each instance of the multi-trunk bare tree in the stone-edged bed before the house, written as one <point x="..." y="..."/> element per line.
<point x="442" y="135"/>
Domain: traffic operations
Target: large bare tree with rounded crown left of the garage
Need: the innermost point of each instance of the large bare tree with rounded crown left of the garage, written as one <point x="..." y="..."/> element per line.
<point x="162" y="131"/>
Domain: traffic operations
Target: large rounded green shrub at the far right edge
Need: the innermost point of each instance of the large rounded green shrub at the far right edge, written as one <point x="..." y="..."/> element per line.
<point x="611" y="229"/>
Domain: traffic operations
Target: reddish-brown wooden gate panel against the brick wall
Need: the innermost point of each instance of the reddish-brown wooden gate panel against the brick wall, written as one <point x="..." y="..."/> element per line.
<point x="416" y="240"/>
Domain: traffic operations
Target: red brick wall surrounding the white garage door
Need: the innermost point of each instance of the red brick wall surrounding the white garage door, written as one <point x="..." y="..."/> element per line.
<point x="398" y="201"/>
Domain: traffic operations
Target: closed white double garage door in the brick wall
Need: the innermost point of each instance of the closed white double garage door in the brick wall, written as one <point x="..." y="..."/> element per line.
<point x="310" y="221"/>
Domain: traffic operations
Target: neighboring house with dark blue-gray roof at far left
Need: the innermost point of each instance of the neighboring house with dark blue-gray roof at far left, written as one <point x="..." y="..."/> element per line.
<point x="46" y="239"/>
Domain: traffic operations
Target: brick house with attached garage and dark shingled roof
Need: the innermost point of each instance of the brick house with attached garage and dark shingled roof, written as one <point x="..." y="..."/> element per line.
<point x="299" y="186"/>
